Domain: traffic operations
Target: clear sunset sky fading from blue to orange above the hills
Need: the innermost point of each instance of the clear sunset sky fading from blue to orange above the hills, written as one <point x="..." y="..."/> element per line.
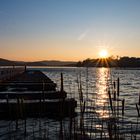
<point x="68" y="29"/>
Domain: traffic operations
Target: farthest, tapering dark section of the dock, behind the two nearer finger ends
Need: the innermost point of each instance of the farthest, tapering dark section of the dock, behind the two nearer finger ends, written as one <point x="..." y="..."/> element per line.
<point x="29" y="80"/>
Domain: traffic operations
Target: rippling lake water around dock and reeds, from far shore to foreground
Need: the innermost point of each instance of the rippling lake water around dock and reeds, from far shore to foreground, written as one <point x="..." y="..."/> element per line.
<point x="95" y="83"/>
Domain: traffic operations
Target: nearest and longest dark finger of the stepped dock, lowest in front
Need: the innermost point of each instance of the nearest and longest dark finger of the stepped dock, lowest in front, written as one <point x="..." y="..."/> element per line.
<point x="21" y="109"/>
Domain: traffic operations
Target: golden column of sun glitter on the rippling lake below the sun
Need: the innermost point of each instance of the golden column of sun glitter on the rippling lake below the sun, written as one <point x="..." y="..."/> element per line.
<point x="102" y="84"/>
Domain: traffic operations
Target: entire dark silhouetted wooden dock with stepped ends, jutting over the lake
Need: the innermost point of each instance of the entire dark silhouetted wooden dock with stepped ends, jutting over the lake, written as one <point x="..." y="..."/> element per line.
<point x="31" y="93"/>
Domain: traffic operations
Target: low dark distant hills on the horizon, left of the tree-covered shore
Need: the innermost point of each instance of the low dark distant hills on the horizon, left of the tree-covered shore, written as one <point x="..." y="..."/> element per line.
<point x="5" y="62"/>
